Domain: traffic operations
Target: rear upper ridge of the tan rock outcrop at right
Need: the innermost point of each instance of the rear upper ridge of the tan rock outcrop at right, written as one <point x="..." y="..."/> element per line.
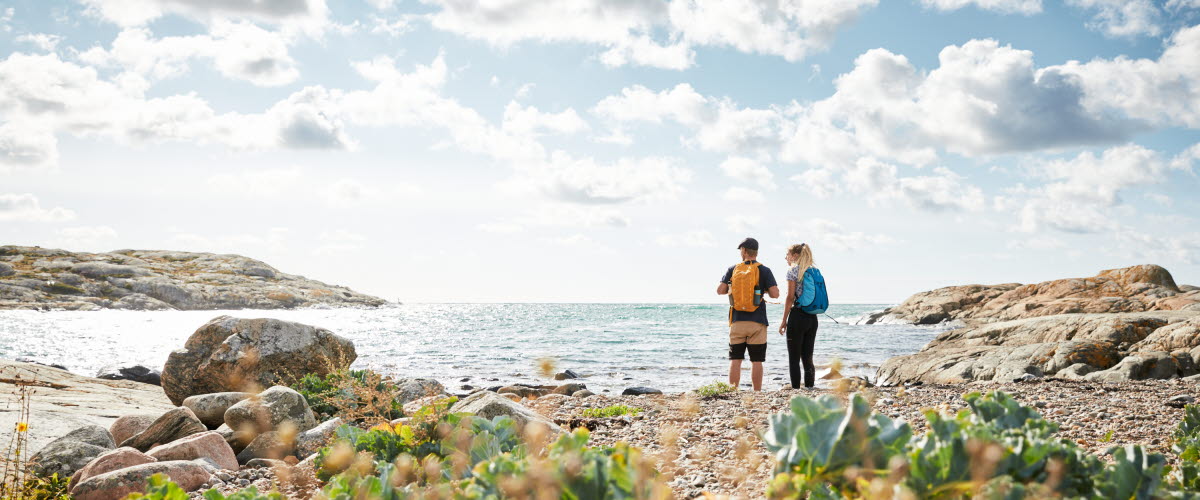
<point x="1121" y="291"/>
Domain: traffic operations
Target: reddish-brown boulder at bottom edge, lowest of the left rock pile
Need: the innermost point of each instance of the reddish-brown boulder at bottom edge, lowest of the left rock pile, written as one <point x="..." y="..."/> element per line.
<point x="119" y="484"/>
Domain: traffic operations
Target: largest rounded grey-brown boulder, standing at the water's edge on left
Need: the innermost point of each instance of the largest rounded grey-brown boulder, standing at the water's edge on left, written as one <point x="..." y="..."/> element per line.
<point x="231" y="354"/>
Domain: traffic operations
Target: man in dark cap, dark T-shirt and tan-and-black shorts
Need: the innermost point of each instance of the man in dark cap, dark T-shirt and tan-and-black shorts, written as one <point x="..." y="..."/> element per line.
<point x="748" y="329"/>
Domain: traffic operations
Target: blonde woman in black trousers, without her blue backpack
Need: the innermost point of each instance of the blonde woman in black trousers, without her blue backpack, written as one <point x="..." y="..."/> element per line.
<point x="800" y="327"/>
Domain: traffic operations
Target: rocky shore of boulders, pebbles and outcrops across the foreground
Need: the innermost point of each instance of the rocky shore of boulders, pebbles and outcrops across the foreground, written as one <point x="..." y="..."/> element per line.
<point x="226" y="417"/>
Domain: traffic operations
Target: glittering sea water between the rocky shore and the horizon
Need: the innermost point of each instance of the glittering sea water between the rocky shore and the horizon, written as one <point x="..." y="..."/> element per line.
<point x="669" y="347"/>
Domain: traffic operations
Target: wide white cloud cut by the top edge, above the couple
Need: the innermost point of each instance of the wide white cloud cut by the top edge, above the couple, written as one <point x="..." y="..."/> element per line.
<point x="653" y="33"/>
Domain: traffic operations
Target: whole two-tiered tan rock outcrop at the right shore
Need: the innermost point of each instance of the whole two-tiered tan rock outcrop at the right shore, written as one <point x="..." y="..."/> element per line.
<point x="1126" y="324"/>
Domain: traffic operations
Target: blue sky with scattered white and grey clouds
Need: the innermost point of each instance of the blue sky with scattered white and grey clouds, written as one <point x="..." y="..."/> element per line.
<point x="609" y="150"/>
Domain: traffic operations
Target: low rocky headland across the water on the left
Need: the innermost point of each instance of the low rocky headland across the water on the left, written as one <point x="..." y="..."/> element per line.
<point x="45" y="279"/>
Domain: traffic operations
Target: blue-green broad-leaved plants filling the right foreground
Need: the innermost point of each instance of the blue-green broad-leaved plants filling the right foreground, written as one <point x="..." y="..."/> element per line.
<point x="997" y="449"/>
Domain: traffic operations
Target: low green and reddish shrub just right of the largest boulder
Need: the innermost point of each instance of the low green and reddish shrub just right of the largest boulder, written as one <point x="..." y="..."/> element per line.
<point x="357" y="396"/>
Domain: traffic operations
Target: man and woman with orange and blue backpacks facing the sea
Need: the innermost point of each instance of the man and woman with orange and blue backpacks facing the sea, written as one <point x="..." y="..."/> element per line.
<point x="747" y="282"/>
